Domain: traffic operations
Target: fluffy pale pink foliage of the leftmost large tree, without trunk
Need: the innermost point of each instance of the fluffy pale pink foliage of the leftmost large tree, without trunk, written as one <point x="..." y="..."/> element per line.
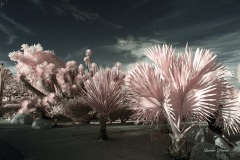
<point x="36" y="64"/>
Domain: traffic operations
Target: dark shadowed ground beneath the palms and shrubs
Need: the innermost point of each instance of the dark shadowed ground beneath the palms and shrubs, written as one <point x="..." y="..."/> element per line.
<point x="127" y="142"/>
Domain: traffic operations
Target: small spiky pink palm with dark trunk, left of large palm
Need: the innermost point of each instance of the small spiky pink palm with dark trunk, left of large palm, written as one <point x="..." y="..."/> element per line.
<point x="104" y="93"/>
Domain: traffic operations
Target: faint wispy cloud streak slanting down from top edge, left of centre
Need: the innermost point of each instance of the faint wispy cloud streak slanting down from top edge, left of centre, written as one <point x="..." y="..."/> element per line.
<point x="64" y="7"/>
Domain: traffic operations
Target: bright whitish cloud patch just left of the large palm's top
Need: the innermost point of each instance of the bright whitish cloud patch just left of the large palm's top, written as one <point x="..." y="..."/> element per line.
<point x="128" y="50"/>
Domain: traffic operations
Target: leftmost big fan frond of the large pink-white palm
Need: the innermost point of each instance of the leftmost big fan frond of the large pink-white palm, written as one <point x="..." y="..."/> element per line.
<point x="148" y="93"/>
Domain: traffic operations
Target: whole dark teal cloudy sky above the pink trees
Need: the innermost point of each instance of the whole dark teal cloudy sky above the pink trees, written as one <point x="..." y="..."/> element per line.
<point x="120" y="30"/>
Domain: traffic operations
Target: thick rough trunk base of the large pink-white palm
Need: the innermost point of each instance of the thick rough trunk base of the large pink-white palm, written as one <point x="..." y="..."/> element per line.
<point x="178" y="149"/>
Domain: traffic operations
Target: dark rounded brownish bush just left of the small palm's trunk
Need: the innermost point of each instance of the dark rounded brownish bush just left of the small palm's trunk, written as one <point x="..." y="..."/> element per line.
<point x="76" y="110"/>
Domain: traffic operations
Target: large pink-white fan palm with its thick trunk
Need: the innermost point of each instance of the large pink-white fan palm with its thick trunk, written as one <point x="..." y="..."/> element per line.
<point x="180" y="86"/>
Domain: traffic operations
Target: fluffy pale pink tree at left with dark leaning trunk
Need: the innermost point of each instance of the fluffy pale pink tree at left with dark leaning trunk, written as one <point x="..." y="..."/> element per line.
<point x="37" y="68"/>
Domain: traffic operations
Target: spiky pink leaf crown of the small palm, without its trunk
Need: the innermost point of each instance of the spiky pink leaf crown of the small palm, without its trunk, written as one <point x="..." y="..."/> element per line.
<point x="102" y="93"/>
